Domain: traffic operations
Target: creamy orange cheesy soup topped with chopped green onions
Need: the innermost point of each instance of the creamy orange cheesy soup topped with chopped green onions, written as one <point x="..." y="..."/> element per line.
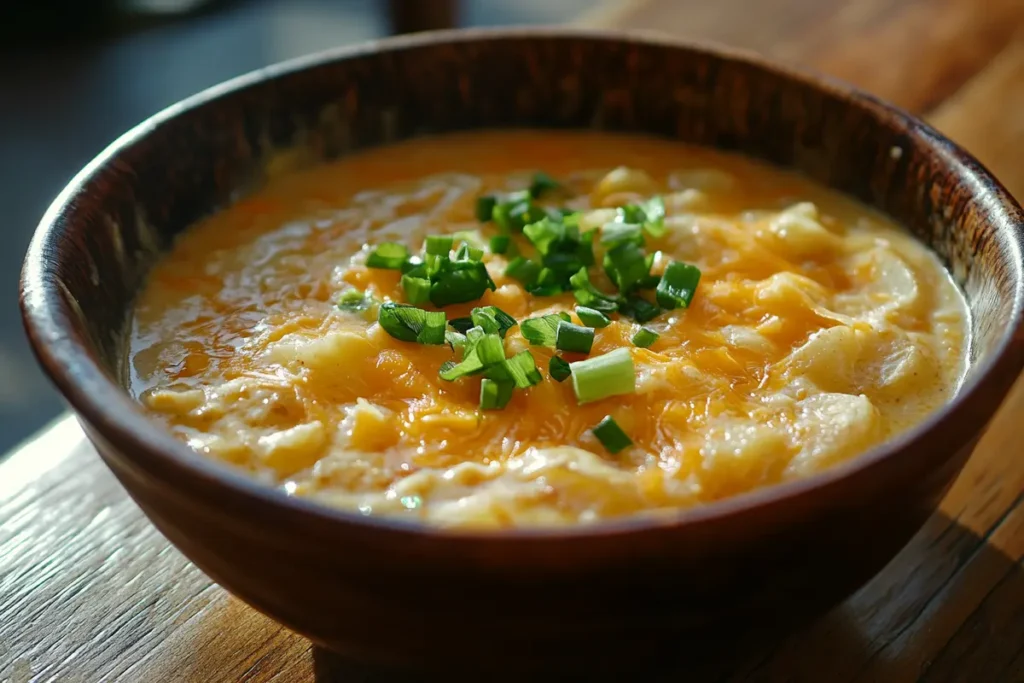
<point x="818" y="330"/>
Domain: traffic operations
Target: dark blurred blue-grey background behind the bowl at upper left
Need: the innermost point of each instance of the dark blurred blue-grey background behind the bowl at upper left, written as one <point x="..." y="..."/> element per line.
<point x="76" y="75"/>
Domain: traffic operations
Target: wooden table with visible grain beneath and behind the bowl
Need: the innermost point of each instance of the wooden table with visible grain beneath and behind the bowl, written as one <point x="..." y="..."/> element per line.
<point x="90" y="591"/>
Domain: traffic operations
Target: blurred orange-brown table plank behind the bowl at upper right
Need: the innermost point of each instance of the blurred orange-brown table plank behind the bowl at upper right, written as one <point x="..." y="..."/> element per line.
<point x="913" y="53"/>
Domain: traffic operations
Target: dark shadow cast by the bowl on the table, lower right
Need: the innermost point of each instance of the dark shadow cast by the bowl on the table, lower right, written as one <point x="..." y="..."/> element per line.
<point x="948" y="609"/>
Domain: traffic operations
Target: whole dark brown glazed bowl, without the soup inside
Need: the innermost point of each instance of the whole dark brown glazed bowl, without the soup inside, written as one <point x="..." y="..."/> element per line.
<point x="389" y="591"/>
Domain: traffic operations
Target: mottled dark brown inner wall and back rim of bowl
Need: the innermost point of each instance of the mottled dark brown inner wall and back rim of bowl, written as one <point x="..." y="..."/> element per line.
<point x="124" y="210"/>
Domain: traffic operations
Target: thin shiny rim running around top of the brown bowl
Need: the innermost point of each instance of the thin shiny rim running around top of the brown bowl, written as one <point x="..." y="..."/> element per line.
<point x="105" y="405"/>
